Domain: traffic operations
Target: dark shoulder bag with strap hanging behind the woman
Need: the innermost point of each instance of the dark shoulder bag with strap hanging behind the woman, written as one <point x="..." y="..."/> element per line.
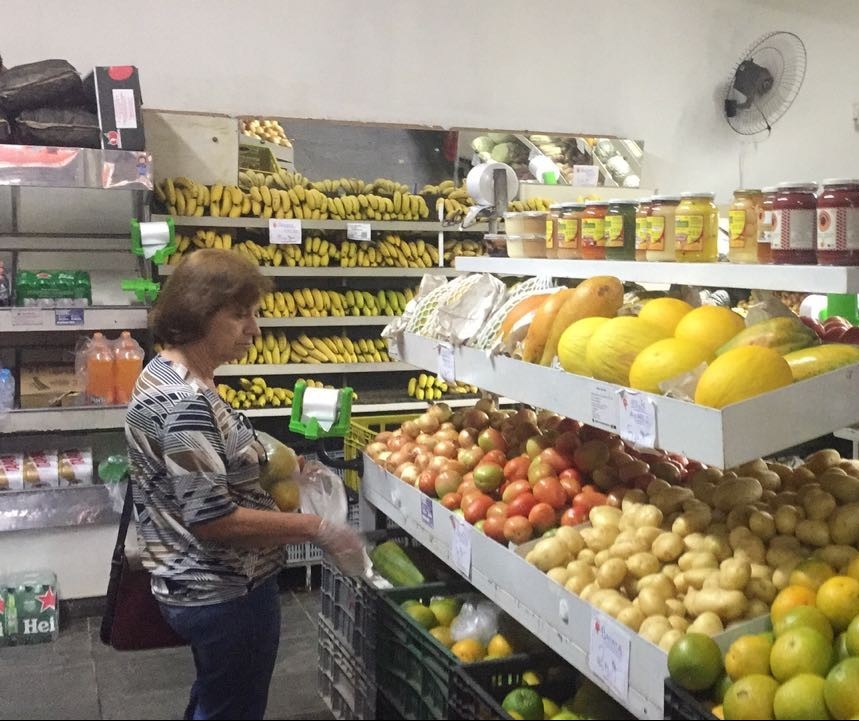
<point x="132" y="619"/>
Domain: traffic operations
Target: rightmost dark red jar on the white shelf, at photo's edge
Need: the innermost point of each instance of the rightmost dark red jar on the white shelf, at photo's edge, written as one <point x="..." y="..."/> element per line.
<point x="838" y="223"/>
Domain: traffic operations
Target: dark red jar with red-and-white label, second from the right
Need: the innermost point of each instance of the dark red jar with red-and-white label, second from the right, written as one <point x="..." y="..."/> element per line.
<point x="794" y="239"/>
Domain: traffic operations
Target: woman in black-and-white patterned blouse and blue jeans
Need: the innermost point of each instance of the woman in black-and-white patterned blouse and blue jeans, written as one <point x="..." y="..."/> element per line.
<point x="211" y="537"/>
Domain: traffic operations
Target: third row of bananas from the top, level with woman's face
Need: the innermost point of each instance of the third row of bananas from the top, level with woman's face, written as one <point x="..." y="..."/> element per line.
<point x="316" y="303"/>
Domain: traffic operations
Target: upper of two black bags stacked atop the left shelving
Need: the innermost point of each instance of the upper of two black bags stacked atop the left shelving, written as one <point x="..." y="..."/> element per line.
<point x="47" y="83"/>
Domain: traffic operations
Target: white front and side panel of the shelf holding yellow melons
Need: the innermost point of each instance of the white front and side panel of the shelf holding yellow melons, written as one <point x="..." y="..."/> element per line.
<point x="725" y="438"/>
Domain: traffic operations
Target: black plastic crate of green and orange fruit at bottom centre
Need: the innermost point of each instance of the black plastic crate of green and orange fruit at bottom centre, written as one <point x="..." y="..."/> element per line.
<point x="478" y="689"/>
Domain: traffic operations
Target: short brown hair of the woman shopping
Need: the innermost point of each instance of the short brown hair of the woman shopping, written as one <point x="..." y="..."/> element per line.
<point x="202" y="284"/>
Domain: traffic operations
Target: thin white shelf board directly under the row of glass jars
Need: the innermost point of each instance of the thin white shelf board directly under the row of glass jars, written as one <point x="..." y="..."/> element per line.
<point x="801" y="278"/>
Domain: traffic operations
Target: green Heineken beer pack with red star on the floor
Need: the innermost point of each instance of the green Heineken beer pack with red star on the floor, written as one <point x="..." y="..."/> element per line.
<point x="30" y="608"/>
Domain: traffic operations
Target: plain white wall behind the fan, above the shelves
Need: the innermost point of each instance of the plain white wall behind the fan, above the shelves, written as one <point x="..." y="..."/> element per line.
<point x="648" y="70"/>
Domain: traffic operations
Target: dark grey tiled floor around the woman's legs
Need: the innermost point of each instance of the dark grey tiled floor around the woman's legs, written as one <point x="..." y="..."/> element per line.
<point x="77" y="677"/>
